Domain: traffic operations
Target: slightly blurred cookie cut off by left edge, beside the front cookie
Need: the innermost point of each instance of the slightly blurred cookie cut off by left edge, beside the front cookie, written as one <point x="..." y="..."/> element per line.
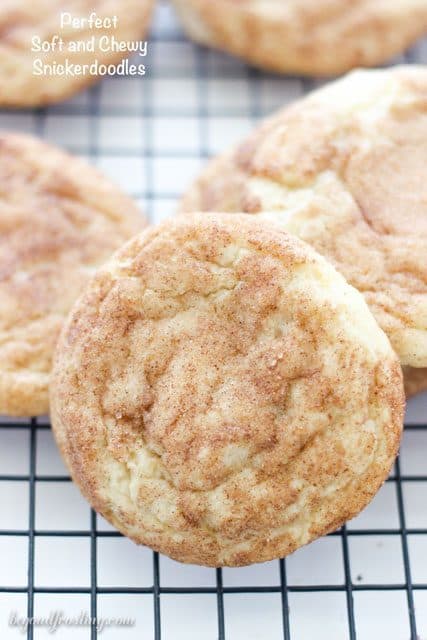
<point x="59" y="220"/>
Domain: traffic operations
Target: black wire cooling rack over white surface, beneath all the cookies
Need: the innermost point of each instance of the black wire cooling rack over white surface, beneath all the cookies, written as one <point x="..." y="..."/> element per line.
<point x="365" y="581"/>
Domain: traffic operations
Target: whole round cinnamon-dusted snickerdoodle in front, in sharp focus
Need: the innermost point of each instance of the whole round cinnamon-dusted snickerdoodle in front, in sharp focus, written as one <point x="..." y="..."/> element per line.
<point x="221" y="394"/>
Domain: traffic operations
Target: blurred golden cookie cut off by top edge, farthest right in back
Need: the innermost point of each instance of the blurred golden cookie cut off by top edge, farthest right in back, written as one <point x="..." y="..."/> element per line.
<point x="317" y="37"/>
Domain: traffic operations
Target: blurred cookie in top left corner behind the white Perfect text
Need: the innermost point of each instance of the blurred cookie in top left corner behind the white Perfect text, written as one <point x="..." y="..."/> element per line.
<point x="30" y="75"/>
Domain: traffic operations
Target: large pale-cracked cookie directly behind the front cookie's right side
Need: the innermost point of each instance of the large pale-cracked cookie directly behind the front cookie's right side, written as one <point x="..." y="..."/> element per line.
<point x="345" y="169"/>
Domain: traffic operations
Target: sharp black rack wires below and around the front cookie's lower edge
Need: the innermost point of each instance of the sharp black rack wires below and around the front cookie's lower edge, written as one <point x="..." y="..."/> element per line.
<point x="157" y="590"/>
